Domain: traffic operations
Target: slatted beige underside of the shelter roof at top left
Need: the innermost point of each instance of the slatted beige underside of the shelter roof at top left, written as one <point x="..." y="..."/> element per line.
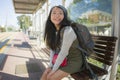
<point x="27" y="6"/>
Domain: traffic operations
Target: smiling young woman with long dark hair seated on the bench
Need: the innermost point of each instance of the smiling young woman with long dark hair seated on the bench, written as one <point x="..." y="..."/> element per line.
<point x="60" y="38"/>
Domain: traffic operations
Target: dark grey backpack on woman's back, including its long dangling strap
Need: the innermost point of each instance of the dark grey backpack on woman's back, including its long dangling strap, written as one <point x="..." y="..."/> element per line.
<point x="86" y="45"/>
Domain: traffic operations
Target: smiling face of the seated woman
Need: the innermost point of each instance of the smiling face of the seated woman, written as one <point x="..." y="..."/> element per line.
<point x="57" y="16"/>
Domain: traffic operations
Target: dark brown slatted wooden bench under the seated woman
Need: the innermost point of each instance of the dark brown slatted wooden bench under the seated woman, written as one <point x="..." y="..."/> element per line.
<point x="103" y="53"/>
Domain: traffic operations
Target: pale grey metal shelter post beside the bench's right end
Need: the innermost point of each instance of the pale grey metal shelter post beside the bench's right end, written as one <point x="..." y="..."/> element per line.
<point x="116" y="32"/>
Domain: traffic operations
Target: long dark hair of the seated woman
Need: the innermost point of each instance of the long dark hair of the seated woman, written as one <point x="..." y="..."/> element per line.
<point x="53" y="41"/>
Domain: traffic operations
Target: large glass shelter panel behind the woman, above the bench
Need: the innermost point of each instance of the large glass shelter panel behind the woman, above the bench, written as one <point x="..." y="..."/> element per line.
<point x="95" y="14"/>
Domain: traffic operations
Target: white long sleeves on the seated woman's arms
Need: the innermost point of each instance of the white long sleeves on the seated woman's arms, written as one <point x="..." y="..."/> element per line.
<point x="68" y="37"/>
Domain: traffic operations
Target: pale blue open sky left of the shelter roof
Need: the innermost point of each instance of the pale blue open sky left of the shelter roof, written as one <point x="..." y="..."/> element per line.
<point x="7" y="13"/>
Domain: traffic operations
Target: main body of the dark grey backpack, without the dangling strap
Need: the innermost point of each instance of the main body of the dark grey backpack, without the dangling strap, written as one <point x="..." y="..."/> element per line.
<point x="86" y="43"/>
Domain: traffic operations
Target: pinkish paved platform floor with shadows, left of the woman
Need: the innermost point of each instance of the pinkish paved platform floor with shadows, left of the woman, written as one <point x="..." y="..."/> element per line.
<point x="20" y="52"/>
